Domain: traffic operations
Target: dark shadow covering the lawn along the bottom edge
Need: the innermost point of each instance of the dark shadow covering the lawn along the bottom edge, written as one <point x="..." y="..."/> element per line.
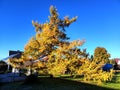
<point x="47" y="83"/>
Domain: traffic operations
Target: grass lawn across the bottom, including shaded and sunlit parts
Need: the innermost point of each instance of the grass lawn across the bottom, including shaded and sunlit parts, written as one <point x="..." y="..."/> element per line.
<point x="62" y="83"/>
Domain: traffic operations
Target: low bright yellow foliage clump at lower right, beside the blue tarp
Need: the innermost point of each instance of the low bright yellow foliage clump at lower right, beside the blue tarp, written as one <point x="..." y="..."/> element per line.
<point x="93" y="71"/>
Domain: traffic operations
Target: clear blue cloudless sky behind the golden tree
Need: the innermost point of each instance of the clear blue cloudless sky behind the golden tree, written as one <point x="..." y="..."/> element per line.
<point x="98" y="22"/>
